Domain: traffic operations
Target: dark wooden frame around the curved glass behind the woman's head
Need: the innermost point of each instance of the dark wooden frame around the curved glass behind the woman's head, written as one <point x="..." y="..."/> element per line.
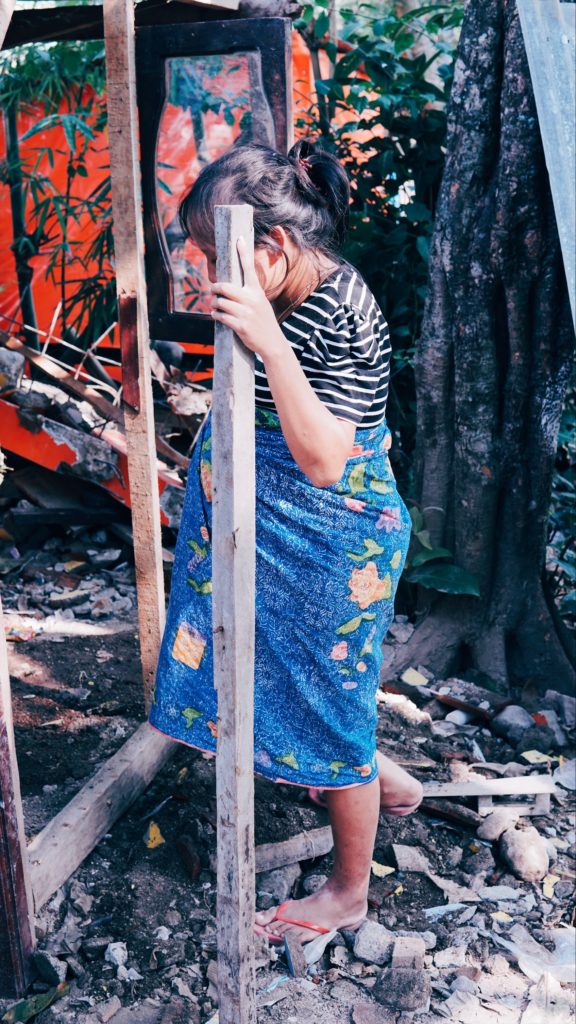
<point x="272" y="38"/>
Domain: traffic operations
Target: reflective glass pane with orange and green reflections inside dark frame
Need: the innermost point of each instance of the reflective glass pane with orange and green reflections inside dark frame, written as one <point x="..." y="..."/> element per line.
<point x="212" y="102"/>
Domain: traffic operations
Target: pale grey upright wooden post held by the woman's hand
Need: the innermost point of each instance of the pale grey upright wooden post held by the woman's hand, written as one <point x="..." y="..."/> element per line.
<point x="233" y="621"/>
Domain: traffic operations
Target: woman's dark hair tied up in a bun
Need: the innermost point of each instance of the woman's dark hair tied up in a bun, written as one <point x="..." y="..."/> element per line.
<point x="307" y="193"/>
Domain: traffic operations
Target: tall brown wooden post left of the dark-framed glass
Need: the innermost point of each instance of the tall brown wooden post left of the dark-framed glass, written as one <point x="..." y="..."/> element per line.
<point x="131" y="284"/>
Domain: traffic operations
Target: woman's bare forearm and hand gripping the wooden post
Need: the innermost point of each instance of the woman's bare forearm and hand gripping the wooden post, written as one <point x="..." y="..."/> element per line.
<point x="319" y="442"/>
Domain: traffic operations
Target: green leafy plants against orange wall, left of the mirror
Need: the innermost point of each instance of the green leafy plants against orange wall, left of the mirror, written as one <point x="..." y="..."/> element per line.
<point x="63" y="86"/>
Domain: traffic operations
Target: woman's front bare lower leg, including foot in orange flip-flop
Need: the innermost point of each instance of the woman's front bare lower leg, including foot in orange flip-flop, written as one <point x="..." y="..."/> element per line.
<point x="343" y="901"/>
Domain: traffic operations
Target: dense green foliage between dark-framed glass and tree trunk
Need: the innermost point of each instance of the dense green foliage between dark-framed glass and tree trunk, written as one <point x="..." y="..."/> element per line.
<point x="390" y="135"/>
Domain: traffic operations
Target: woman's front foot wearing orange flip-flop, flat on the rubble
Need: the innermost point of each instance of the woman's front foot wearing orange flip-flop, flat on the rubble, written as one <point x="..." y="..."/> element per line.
<point x="328" y="908"/>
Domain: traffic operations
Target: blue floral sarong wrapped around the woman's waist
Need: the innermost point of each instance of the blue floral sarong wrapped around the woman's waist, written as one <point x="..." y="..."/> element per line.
<point x="328" y="562"/>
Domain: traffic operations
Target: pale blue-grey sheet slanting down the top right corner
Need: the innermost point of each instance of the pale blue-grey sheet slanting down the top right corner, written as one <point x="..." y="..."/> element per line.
<point x="550" y="37"/>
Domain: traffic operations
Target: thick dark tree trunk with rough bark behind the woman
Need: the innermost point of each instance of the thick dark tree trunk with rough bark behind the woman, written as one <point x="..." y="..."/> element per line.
<point x="492" y="369"/>
